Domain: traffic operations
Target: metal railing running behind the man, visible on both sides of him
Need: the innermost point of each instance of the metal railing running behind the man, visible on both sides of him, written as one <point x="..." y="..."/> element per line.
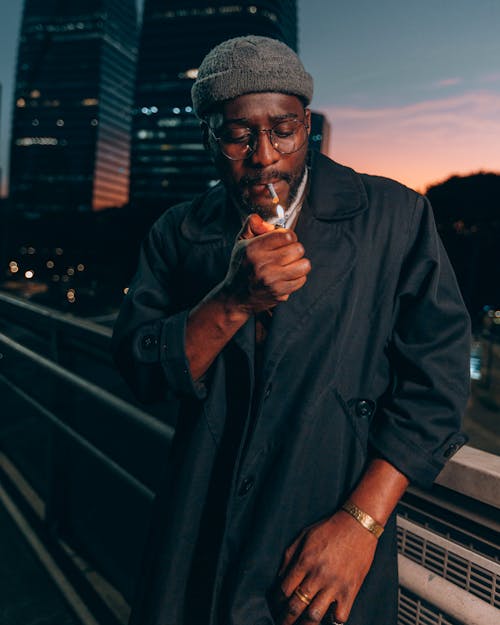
<point x="95" y="460"/>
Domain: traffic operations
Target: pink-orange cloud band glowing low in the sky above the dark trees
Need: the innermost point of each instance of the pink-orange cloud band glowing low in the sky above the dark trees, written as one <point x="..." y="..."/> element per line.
<point x="420" y="143"/>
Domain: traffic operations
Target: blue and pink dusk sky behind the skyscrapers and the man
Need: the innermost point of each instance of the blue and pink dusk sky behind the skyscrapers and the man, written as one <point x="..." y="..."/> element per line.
<point x="412" y="89"/>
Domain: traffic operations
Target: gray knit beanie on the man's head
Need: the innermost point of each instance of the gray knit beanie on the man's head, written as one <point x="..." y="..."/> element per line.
<point x="249" y="64"/>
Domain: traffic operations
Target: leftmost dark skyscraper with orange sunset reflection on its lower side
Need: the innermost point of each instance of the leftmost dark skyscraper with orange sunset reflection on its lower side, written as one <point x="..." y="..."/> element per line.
<point x="72" y="111"/>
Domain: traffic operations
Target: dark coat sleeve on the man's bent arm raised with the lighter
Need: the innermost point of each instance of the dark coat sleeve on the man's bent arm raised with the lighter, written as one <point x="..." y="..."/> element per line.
<point x="148" y="336"/>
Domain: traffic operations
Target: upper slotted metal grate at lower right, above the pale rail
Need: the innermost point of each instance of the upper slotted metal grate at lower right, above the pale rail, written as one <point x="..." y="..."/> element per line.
<point x="472" y="572"/>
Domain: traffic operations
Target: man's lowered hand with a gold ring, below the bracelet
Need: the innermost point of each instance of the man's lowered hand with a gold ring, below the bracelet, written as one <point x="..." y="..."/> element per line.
<point x="326" y="567"/>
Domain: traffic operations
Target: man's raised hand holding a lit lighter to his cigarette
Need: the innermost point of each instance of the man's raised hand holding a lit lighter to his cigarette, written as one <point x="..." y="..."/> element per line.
<point x="267" y="265"/>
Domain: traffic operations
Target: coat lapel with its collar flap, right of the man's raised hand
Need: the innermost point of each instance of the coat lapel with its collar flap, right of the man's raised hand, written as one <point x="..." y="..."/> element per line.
<point x="335" y="194"/>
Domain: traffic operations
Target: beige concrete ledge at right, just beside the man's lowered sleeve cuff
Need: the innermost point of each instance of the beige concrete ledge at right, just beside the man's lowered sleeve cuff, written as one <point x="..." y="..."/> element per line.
<point x="473" y="473"/>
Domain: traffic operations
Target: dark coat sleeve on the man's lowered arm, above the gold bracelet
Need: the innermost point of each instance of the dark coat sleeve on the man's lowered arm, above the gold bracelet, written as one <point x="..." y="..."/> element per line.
<point x="417" y="426"/>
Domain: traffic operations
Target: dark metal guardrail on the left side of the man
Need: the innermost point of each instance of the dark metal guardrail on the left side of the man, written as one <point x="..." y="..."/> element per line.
<point x="93" y="458"/>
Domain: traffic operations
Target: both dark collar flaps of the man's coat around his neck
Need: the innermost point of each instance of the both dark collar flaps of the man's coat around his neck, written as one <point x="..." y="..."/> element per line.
<point x="335" y="193"/>
